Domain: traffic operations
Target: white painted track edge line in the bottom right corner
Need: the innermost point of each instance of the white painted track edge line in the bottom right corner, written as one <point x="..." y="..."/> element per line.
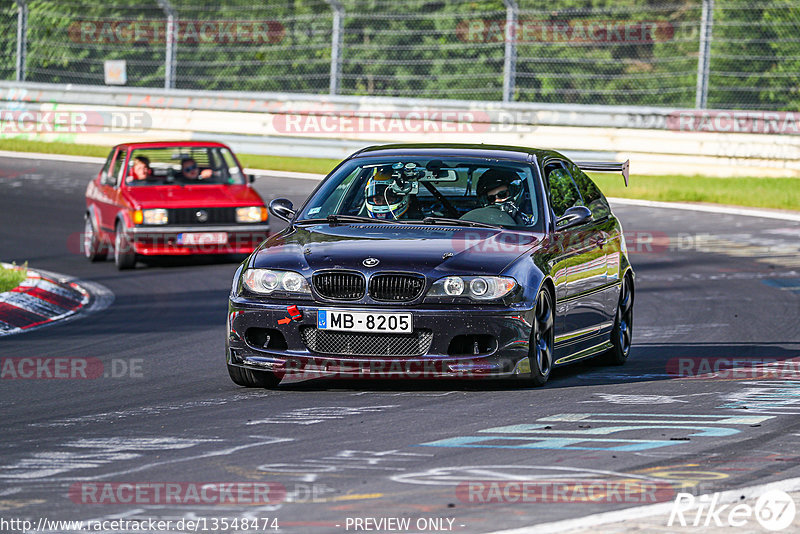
<point x="641" y="512"/>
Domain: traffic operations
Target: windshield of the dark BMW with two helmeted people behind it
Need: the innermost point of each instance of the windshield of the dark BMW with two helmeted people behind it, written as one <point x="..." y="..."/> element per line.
<point x="494" y="192"/>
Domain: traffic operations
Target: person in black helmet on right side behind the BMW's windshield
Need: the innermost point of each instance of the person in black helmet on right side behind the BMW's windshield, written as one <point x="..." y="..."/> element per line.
<point x="496" y="191"/>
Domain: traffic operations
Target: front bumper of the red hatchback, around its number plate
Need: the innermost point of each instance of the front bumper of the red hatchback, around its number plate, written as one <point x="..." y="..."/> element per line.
<point x="163" y="240"/>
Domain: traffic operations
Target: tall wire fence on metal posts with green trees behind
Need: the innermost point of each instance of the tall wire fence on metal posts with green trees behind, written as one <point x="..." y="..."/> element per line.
<point x="681" y="53"/>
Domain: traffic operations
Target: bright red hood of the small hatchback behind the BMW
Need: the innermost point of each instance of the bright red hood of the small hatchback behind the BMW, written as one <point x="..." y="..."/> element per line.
<point x="193" y="196"/>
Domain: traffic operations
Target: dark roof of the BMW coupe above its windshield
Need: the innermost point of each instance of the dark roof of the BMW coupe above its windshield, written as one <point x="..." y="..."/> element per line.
<point x="456" y="150"/>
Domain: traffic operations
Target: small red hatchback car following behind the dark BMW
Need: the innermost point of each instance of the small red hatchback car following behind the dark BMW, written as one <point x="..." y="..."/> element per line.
<point x="172" y="198"/>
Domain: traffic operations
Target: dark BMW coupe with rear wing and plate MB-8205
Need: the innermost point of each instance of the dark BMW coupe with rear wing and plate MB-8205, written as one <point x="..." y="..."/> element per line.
<point x="436" y="261"/>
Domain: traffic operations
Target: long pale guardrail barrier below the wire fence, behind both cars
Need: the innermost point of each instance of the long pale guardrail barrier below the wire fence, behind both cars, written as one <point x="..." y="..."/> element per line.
<point x="658" y="140"/>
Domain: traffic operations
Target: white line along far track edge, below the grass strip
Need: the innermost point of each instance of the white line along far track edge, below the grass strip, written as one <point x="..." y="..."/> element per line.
<point x="746" y="212"/>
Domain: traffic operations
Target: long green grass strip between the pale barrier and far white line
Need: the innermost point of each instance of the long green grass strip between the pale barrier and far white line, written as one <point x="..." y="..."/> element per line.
<point x="777" y="193"/>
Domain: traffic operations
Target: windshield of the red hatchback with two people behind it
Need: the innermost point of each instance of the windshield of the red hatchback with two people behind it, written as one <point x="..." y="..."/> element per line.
<point x="183" y="166"/>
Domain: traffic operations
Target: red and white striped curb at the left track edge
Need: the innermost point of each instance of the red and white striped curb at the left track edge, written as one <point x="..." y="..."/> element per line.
<point x="44" y="298"/>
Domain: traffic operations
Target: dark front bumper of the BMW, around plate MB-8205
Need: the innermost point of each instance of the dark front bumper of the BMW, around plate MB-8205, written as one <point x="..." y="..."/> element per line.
<point x="288" y="352"/>
